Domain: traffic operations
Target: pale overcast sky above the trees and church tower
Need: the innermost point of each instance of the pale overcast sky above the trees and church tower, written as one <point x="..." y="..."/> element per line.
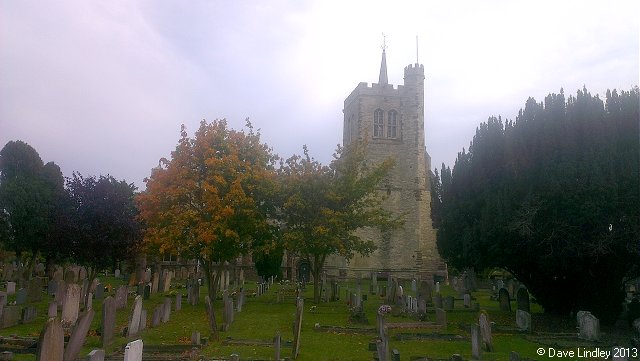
<point x="103" y="86"/>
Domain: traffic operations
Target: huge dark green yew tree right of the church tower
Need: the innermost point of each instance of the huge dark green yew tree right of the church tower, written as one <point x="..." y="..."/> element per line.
<point x="552" y="197"/>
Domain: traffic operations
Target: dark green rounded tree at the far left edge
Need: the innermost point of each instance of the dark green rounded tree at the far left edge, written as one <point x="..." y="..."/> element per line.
<point x="31" y="194"/>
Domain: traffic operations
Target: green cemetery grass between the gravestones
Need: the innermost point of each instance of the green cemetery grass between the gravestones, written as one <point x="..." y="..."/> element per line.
<point x="262" y="317"/>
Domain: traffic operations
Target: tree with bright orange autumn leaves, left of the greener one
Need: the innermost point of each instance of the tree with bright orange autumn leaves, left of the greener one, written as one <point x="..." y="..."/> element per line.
<point x="211" y="200"/>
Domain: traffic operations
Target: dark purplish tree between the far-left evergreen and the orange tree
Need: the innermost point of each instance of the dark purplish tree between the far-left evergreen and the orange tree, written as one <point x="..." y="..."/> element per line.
<point x="105" y="221"/>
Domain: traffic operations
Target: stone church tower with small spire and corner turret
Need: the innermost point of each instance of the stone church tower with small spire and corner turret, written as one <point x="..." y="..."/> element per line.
<point x="392" y="121"/>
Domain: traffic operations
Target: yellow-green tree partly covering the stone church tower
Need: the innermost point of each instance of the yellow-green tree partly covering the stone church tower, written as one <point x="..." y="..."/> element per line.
<point x="324" y="206"/>
